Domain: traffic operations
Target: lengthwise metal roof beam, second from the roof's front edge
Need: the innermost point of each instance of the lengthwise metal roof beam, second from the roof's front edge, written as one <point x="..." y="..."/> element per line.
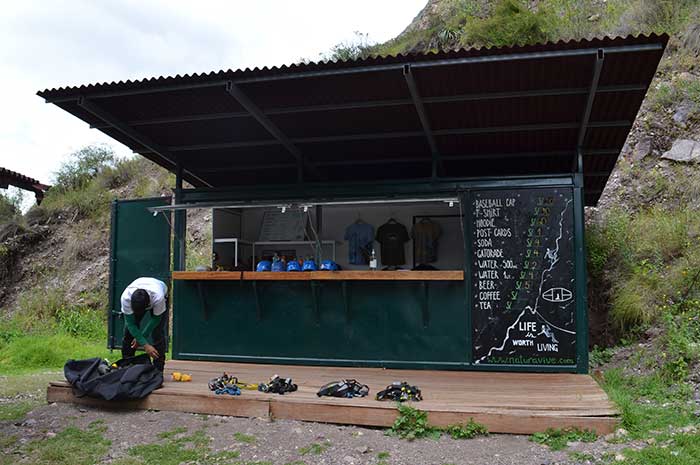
<point x="383" y="103"/>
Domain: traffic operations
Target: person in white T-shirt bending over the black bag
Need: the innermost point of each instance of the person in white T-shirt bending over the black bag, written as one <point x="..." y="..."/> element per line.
<point x="144" y="305"/>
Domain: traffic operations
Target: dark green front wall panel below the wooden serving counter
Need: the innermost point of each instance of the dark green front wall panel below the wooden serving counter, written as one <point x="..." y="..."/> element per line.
<point x="384" y="324"/>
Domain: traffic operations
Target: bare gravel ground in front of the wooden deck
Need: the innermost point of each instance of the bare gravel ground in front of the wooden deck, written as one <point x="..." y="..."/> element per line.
<point x="281" y="441"/>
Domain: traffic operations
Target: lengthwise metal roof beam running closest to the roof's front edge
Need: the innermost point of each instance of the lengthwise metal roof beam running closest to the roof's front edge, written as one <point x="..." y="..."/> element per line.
<point x="364" y="69"/>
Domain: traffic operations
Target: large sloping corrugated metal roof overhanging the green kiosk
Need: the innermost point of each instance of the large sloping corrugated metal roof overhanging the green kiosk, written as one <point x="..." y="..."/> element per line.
<point x="359" y="120"/>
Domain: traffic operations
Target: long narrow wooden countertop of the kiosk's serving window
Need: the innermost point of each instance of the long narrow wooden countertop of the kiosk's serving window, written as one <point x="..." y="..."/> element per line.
<point x="450" y="275"/>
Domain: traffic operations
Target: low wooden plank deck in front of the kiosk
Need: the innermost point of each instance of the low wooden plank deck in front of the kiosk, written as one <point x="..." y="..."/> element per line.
<point x="521" y="403"/>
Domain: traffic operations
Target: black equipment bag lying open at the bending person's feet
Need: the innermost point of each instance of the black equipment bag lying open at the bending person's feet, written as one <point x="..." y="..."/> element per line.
<point x="129" y="378"/>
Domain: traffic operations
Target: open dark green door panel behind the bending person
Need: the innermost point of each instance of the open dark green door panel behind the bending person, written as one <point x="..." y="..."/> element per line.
<point x="140" y="247"/>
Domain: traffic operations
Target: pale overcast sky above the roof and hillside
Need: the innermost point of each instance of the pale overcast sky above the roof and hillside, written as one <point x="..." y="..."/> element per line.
<point x="46" y="44"/>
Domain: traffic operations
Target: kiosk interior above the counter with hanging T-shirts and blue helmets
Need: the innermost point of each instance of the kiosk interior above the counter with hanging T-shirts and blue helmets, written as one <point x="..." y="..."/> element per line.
<point x="407" y="235"/>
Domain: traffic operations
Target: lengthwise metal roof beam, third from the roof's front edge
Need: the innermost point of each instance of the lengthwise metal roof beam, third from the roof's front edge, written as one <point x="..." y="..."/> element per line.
<point x="402" y="134"/>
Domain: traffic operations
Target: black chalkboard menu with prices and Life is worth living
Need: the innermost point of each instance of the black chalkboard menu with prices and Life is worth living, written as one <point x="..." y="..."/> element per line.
<point x="523" y="292"/>
